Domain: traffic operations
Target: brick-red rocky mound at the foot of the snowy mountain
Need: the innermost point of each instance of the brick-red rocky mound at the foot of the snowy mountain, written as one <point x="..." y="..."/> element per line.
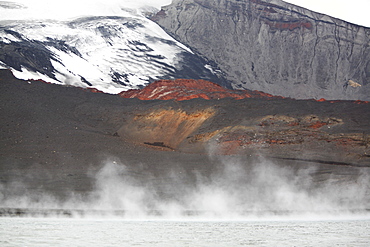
<point x="184" y="89"/>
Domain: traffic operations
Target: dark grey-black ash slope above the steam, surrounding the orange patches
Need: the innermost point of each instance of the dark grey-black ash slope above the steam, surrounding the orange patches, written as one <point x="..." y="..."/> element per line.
<point x="54" y="137"/>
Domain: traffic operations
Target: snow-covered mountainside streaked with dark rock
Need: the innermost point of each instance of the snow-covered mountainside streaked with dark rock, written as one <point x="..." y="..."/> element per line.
<point x="111" y="53"/>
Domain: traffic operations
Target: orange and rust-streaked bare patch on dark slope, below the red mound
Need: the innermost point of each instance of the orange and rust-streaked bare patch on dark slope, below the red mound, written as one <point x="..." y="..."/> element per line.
<point x="306" y="135"/>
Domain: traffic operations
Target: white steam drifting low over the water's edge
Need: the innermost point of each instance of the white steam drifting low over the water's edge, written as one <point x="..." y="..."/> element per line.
<point x="238" y="190"/>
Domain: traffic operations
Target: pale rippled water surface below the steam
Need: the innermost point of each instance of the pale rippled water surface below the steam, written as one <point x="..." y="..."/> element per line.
<point x="120" y="232"/>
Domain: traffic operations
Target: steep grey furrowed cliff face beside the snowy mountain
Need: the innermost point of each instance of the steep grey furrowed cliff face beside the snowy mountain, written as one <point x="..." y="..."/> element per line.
<point x="275" y="47"/>
